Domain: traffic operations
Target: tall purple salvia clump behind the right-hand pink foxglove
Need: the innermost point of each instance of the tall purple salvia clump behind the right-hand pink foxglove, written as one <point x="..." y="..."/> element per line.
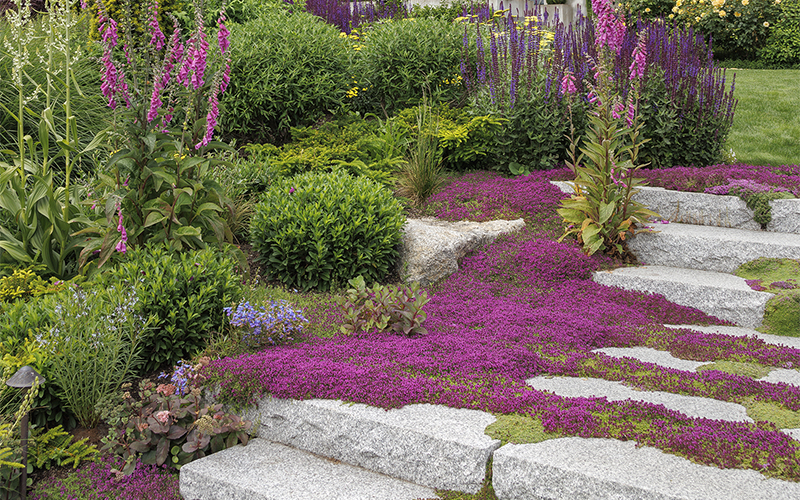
<point x="682" y="98"/>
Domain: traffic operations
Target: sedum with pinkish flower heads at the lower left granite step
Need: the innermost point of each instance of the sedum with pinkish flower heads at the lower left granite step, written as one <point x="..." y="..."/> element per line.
<point x="162" y="426"/>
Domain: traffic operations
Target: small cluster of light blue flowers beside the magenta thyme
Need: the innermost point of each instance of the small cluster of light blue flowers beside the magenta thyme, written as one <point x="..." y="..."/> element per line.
<point x="272" y="324"/>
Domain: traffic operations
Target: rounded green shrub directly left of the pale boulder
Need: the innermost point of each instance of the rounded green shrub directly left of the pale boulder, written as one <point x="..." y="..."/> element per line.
<point x="318" y="230"/>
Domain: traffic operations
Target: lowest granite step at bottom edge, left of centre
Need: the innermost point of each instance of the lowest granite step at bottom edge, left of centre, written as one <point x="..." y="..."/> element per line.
<point x="264" y="470"/>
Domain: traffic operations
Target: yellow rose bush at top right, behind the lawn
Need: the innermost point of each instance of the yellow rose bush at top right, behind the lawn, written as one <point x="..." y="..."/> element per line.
<point x="738" y="28"/>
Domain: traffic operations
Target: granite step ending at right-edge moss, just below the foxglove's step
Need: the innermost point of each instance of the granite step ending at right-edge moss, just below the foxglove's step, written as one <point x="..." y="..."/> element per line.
<point x="718" y="294"/>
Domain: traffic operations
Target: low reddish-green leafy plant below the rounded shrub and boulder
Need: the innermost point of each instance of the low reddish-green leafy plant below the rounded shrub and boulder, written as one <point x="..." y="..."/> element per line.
<point x="383" y="307"/>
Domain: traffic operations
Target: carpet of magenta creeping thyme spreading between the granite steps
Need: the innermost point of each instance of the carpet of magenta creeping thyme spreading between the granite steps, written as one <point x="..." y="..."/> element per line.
<point x="526" y="306"/>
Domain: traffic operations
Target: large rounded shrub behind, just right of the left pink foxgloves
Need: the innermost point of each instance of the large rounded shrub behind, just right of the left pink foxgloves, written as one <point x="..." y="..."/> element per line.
<point x="287" y="70"/>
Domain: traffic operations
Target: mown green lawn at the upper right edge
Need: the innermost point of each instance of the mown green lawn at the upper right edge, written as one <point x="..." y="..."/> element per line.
<point x="766" y="126"/>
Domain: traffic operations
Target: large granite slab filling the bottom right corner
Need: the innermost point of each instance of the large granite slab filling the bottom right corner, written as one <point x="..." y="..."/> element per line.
<point x="578" y="468"/>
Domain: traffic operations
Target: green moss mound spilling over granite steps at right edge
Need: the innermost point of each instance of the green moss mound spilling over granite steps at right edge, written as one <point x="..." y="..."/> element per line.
<point x="782" y="278"/>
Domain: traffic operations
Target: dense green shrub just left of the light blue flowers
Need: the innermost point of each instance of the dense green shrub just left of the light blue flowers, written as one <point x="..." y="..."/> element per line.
<point x="185" y="293"/>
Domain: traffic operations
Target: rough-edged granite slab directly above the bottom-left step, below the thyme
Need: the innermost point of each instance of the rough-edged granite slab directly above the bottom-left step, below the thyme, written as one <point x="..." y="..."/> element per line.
<point x="431" y="445"/>
